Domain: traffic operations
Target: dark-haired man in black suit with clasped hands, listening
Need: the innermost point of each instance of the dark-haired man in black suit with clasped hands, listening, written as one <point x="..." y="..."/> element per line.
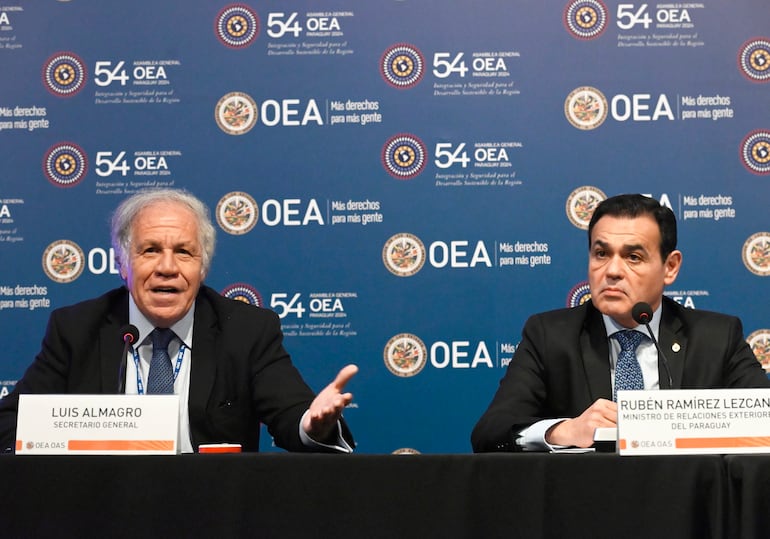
<point x="558" y="387"/>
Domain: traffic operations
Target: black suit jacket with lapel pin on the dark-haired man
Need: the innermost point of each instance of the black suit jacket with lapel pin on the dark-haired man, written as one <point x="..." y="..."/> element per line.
<point x="562" y="366"/>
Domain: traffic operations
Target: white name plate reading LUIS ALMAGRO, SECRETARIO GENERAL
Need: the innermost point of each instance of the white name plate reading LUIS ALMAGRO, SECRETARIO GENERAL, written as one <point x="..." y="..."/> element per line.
<point x="97" y="425"/>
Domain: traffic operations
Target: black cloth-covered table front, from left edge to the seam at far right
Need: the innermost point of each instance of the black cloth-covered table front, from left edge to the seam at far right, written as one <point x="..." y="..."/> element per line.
<point x="368" y="496"/>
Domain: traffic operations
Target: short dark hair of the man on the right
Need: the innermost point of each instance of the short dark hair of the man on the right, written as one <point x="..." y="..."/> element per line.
<point x="633" y="205"/>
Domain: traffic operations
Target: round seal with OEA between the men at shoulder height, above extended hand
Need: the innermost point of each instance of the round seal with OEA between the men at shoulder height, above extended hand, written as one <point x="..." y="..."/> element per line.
<point x="406" y="355"/>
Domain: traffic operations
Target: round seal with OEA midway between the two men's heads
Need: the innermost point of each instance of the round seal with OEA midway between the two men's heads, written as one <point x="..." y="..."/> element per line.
<point x="404" y="254"/>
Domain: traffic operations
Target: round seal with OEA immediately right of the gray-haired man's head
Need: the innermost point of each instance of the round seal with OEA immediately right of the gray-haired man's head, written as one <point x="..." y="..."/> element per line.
<point x="237" y="212"/>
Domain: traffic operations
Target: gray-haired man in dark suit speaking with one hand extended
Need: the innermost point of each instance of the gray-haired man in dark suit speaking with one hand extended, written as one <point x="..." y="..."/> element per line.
<point x="226" y="360"/>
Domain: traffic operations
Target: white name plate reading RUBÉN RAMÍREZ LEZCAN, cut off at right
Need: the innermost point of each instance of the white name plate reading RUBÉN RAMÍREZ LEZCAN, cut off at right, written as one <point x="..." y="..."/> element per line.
<point x="694" y="421"/>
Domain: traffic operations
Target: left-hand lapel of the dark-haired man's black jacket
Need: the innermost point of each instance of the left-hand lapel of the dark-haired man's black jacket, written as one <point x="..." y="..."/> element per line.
<point x="595" y="355"/>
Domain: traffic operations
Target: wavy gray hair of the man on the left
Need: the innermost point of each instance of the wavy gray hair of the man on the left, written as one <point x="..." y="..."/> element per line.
<point x="123" y="221"/>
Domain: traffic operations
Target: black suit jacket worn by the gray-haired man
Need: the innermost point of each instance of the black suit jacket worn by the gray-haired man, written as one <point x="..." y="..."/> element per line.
<point x="240" y="373"/>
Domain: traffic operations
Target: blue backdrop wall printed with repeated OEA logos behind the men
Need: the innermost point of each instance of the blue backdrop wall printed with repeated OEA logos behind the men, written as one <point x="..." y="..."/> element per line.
<point x="404" y="182"/>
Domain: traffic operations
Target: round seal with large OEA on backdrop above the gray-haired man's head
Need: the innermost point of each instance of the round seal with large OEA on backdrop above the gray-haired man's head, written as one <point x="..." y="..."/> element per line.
<point x="236" y="113"/>
